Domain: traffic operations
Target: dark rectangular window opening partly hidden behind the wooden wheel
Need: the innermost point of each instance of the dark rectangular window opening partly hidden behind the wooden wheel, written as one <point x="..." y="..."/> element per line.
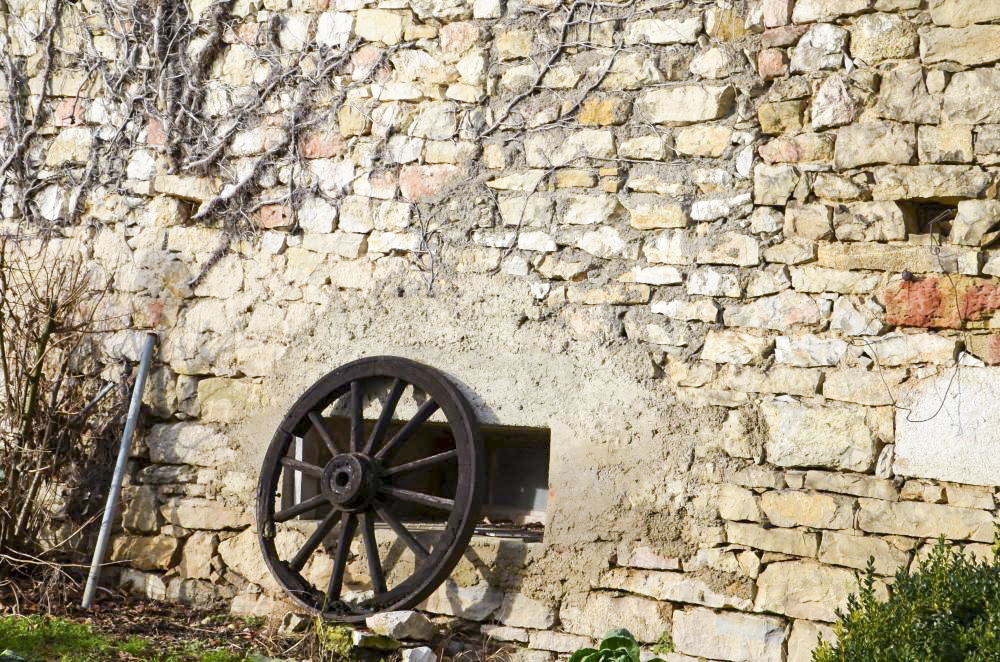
<point x="517" y="475"/>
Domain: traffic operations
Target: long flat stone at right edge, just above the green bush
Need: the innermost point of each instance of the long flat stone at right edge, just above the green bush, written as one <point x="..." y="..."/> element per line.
<point x="924" y="520"/>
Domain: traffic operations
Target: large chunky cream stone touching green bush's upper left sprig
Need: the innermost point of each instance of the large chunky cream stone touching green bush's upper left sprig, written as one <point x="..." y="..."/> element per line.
<point x="804" y="589"/>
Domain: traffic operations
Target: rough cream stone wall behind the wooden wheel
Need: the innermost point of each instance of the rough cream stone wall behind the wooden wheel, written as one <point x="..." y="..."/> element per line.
<point x="735" y="257"/>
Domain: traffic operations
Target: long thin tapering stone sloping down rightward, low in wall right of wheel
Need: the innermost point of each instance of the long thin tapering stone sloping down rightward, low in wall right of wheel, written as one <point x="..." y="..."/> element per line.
<point x="671" y="586"/>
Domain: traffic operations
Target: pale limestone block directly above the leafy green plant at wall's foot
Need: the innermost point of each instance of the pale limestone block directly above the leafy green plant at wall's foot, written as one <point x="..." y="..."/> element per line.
<point x="590" y="615"/>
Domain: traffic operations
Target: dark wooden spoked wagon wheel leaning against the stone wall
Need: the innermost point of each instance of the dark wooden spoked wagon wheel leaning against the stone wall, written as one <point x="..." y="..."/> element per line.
<point x="356" y="517"/>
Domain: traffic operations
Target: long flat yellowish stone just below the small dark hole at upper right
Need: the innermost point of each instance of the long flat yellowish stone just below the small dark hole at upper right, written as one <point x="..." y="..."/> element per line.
<point x="898" y="258"/>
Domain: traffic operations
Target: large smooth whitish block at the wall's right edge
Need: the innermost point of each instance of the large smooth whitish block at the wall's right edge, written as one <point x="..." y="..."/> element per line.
<point x="958" y="443"/>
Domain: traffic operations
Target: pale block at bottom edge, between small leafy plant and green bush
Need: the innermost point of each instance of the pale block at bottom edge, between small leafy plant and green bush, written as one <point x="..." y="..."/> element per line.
<point x="729" y="636"/>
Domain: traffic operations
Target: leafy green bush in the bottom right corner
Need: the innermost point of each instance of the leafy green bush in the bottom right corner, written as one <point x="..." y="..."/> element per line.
<point x="947" y="610"/>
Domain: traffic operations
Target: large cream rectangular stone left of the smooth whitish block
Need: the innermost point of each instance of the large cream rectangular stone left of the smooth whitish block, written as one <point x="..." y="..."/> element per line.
<point x="812" y="436"/>
